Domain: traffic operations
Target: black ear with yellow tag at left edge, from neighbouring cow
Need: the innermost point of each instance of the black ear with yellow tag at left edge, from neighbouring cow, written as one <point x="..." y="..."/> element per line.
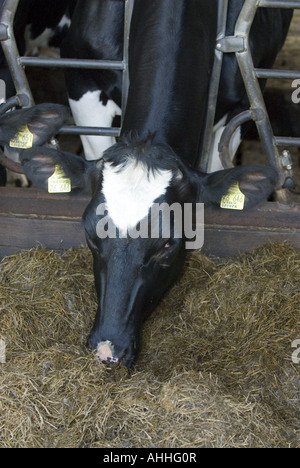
<point x="25" y="128"/>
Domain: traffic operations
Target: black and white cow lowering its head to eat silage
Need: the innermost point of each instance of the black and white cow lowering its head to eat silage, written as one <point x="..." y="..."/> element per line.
<point x="171" y="55"/>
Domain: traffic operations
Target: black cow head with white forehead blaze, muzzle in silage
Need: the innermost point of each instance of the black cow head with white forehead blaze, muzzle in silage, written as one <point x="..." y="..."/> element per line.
<point x="133" y="272"/>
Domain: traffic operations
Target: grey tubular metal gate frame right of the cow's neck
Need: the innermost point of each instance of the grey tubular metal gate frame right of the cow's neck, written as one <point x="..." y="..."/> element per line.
<point x="239" y="44"/>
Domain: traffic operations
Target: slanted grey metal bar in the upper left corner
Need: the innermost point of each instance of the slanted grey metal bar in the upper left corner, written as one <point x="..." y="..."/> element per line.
<point x="12" y="54"/>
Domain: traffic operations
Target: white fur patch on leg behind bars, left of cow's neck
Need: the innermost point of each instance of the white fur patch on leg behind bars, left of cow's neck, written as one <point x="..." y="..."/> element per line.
<point x="89" y="111"/>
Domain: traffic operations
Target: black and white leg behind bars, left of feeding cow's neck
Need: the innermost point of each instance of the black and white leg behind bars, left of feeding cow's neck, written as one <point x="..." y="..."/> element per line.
<point x="96" y="32"/>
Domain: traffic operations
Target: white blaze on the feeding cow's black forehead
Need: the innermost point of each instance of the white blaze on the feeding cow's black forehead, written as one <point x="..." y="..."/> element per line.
<point x="130" y="192"/>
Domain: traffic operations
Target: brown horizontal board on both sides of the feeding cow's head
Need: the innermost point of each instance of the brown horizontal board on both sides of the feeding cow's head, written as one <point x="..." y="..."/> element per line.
<point x="30" y="218"/>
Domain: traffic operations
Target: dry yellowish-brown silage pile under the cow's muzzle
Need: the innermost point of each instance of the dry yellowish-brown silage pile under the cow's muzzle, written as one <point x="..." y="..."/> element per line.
<point x="215" y="367"/>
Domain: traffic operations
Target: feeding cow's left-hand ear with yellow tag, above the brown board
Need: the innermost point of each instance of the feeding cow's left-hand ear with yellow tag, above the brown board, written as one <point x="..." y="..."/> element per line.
<point x="56" y="172"/>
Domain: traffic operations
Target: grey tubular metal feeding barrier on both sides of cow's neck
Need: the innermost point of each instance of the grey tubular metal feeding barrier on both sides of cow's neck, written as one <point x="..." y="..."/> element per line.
<point x="238" y="44"/>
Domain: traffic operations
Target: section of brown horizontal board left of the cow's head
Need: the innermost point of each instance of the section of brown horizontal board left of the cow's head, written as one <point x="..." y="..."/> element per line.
<point x="30" y="218"/>
